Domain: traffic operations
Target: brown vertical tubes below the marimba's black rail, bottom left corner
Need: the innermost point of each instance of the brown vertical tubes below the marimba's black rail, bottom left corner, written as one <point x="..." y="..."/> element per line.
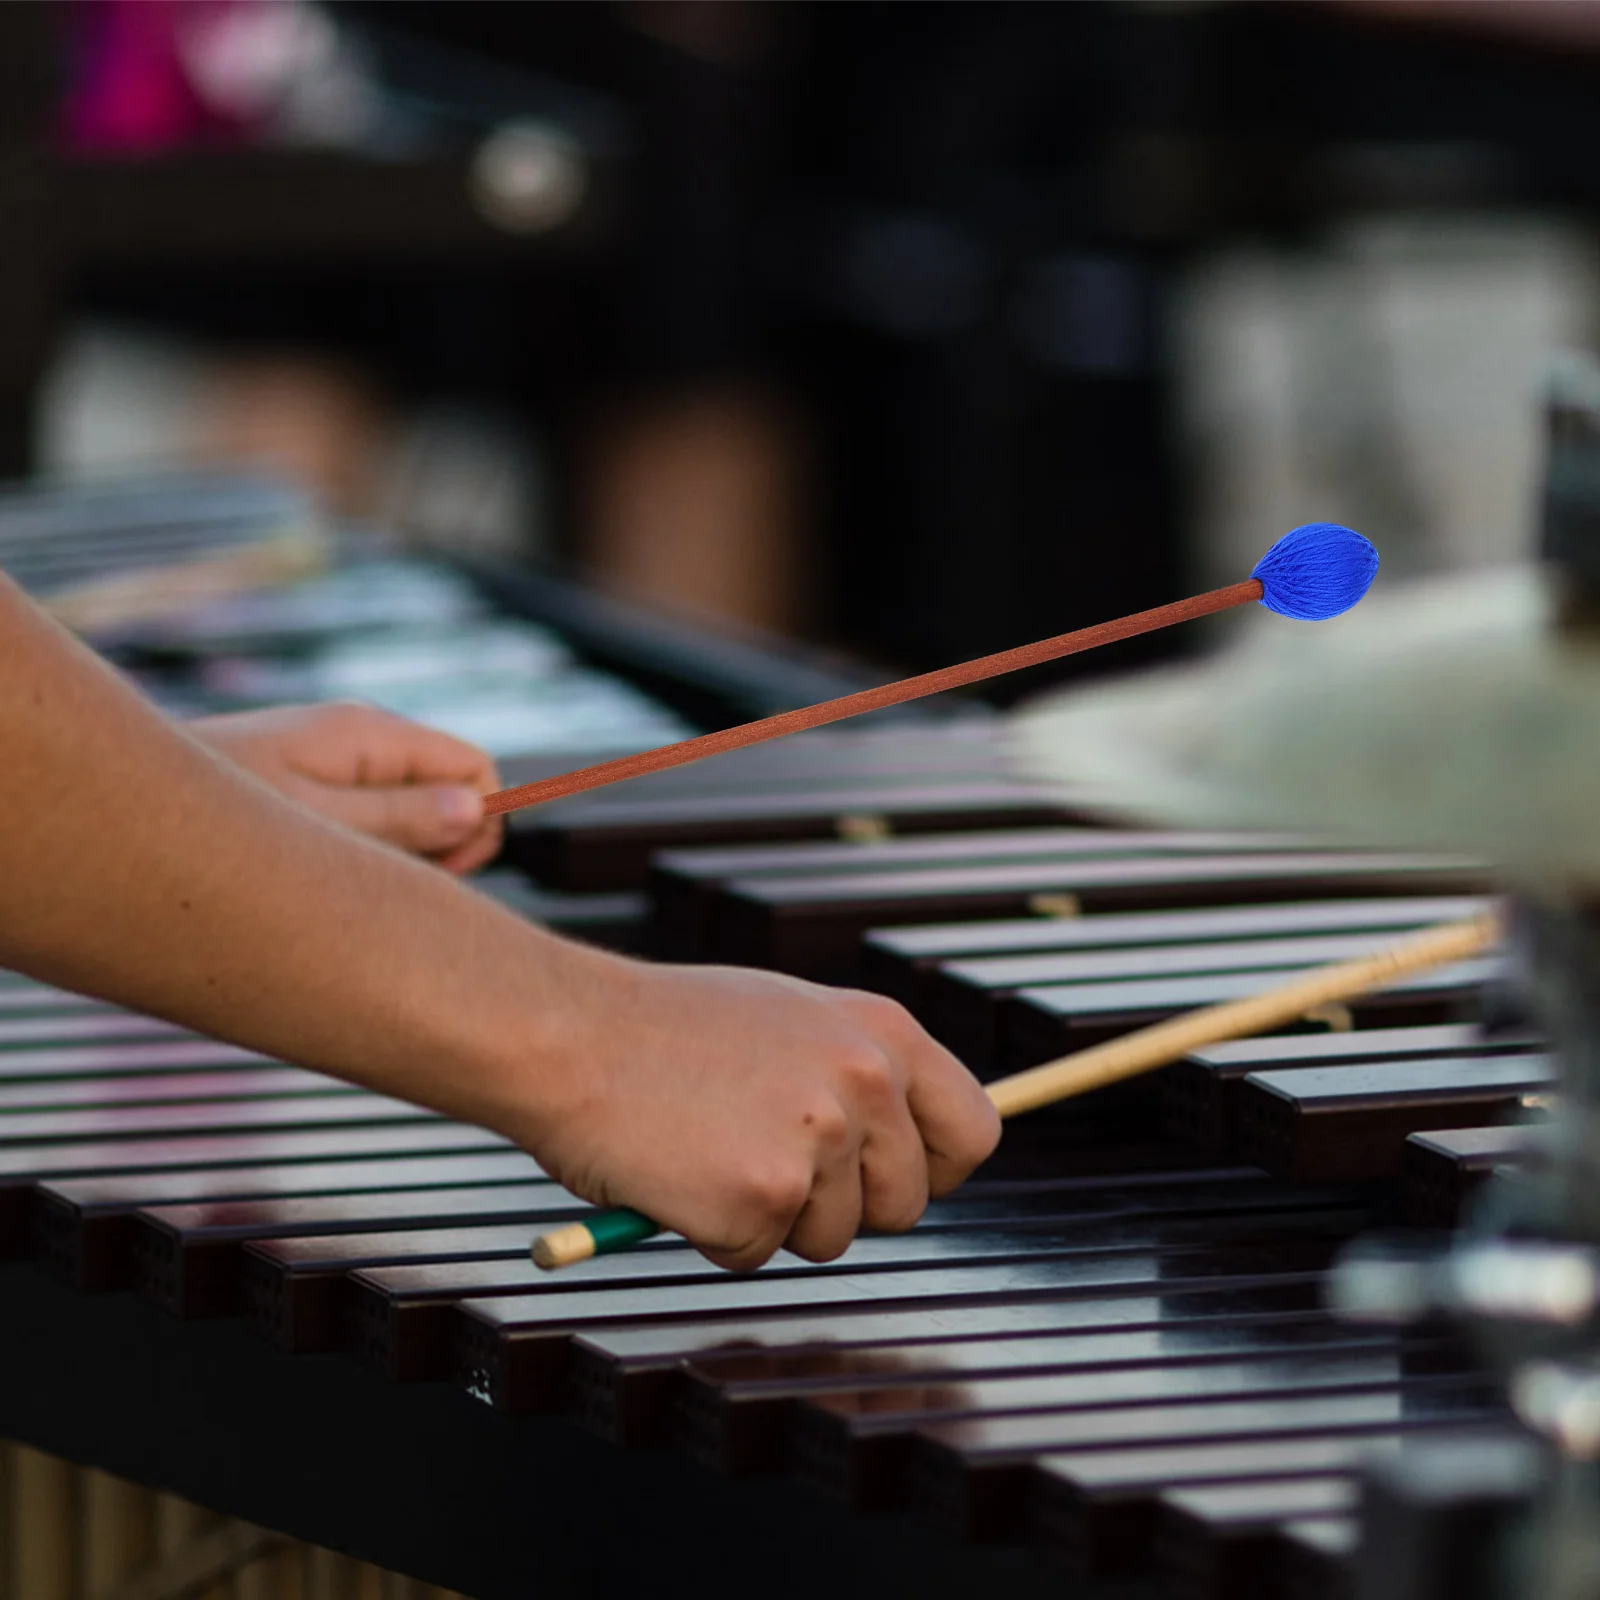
<point x="78" y="1534"/>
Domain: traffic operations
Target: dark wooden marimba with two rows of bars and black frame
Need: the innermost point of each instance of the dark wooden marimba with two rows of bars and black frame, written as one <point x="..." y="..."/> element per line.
<point x="1105" y="1361"/>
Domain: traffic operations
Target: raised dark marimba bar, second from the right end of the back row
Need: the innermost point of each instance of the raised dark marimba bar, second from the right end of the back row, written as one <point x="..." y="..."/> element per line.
<point x="1340" y="1124"/>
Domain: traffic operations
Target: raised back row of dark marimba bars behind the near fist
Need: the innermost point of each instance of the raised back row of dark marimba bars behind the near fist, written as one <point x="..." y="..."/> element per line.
<point x="1023" y="937"/>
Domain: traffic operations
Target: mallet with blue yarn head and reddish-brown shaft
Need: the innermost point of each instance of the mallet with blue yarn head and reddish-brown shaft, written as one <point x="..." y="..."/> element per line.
<point x="1313" y="574"/>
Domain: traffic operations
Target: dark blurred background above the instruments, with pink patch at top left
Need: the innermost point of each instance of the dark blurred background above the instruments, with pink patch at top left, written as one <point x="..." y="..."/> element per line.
<point x="903" y="330"/>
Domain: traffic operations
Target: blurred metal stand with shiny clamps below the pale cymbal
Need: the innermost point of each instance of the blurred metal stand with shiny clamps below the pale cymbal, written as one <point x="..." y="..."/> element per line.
<point x="1508" y="1518"/>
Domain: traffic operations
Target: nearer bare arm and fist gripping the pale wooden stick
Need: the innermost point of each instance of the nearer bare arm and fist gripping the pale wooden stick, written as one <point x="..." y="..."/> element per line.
<point x="743" y="1110"/>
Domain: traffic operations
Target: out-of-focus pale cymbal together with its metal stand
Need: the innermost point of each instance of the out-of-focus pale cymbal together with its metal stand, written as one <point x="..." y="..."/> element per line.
<point x="1460" y="714"/>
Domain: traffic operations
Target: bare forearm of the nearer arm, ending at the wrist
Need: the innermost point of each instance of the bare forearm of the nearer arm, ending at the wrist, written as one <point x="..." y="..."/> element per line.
<point x="138" y="866"/>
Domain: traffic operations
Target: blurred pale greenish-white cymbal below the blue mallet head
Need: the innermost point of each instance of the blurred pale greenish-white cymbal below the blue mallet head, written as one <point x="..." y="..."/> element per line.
<point x="1449" y="714"/>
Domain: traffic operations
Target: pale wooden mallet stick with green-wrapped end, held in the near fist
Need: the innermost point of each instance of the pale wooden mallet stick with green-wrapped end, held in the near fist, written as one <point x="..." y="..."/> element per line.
<point x="1127" y="1057"/>
